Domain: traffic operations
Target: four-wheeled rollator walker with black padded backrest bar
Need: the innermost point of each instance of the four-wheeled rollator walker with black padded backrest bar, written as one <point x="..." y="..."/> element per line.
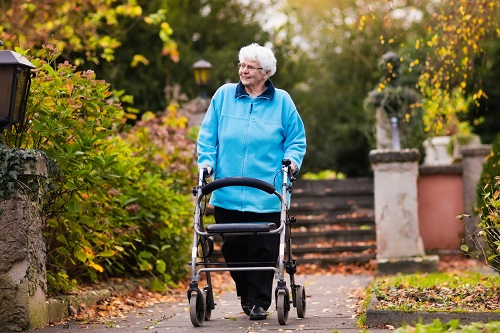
<point x="201" y="302"/>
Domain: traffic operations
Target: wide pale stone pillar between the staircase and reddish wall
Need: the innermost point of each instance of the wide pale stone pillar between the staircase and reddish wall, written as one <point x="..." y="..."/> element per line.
<point x="399" y="245"/>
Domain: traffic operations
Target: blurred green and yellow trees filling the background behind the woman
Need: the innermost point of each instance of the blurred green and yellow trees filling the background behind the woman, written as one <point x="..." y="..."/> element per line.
<point x="327" y="54"/>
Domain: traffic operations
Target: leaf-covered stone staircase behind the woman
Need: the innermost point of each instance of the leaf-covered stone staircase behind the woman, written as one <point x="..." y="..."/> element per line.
<point x="334" y="222"/>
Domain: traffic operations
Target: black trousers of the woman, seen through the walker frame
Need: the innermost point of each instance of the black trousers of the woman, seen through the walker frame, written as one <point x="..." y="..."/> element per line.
<point x="254" y="287"/>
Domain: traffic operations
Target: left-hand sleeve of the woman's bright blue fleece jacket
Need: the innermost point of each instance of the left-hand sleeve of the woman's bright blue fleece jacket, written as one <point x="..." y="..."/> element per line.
<point x="208" y="139"/>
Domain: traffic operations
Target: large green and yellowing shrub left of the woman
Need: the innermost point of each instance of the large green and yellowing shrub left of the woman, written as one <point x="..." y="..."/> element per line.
<point x="121" y="203"/>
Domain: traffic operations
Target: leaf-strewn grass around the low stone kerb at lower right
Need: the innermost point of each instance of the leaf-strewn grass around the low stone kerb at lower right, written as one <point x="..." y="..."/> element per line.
<point x="455" y="289"/>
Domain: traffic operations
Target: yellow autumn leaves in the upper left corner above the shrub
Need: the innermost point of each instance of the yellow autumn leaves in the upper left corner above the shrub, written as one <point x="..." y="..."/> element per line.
<point x="88" y="28"/>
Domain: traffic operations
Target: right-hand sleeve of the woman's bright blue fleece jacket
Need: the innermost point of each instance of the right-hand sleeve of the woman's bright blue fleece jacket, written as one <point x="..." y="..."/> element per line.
<point x="295" y="139"/>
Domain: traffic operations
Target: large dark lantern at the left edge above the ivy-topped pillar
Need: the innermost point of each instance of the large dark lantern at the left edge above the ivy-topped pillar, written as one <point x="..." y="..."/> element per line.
<point x="15" y="80"/>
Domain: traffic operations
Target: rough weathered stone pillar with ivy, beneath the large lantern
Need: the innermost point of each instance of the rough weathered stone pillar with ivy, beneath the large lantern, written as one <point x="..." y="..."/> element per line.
<point x="23" y="283"/>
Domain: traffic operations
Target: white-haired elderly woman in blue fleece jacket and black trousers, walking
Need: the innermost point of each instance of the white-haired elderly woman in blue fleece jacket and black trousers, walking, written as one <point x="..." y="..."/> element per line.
<point x="249" y="128"/>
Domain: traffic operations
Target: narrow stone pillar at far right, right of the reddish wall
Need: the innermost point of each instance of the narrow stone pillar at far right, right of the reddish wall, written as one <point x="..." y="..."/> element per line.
<point x="473" y="157"/>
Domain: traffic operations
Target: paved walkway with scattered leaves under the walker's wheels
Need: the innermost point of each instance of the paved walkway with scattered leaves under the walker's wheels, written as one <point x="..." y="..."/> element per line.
<point x="331" y="307"/>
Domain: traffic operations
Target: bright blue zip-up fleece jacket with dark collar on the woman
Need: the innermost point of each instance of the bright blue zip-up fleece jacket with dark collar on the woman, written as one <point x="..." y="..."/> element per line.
<point x="243" y="136"/>
